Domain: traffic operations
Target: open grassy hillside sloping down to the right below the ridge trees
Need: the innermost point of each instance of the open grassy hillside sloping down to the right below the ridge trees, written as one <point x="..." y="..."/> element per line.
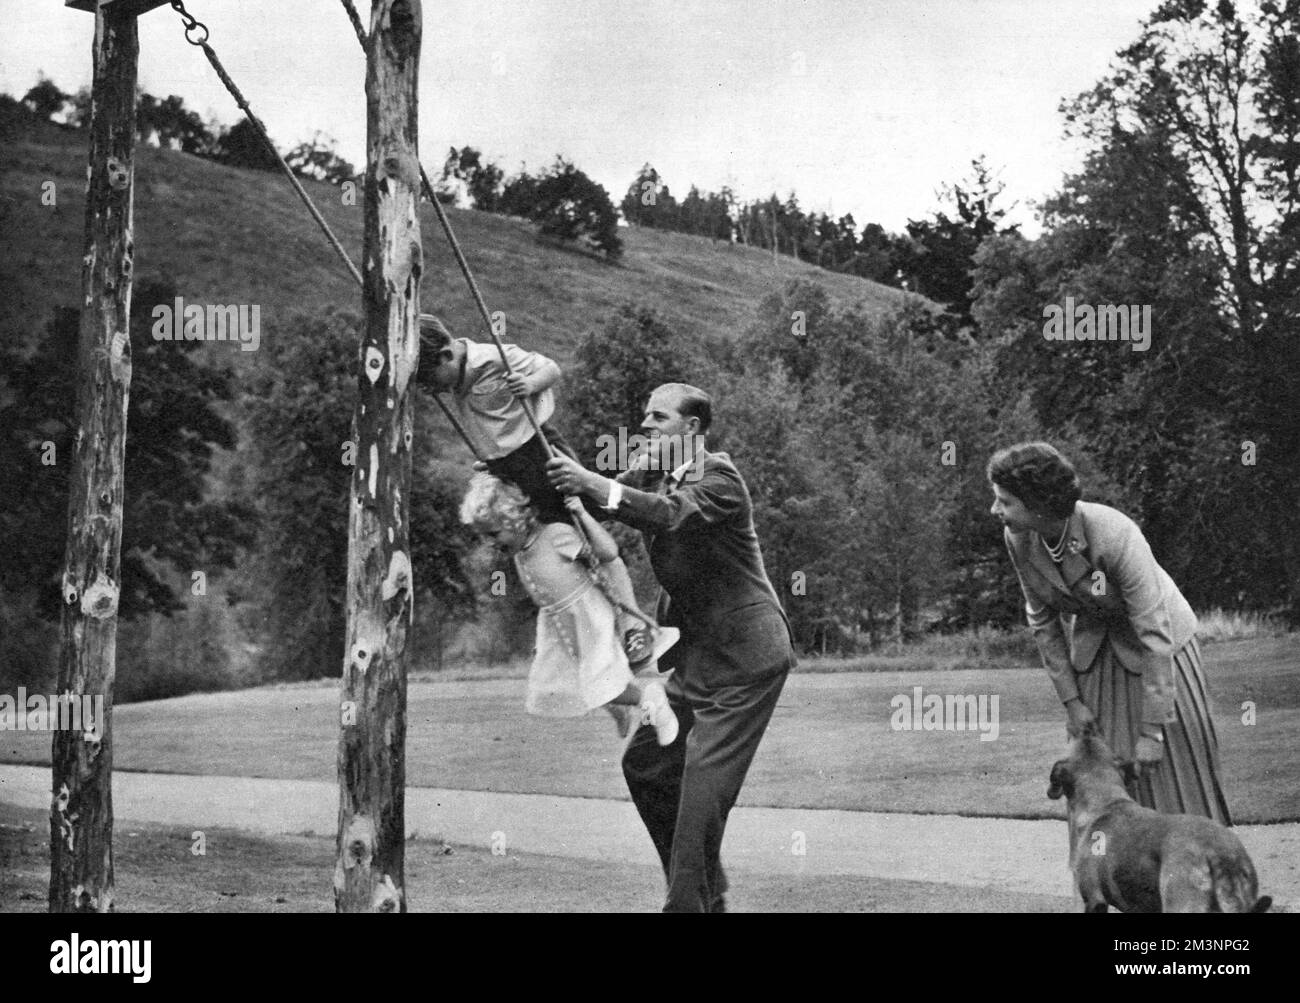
<point x="231" y="236"/>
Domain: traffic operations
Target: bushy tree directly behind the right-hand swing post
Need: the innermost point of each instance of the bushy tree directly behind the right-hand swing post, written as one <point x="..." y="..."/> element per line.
<point x="300" y="461"/>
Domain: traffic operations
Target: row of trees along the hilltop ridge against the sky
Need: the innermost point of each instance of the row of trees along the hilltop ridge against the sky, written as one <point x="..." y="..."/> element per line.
<point x="931" y="258"/>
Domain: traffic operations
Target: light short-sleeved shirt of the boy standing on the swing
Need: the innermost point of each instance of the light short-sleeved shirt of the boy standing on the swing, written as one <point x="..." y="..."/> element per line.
<point x="493" y="418"/>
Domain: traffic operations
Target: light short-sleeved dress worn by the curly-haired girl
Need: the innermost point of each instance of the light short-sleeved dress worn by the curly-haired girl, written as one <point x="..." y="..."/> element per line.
<point x="579" y="663"/>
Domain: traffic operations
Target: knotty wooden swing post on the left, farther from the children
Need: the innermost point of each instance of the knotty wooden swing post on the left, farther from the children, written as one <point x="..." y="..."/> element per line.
<point x="81" y="811"/>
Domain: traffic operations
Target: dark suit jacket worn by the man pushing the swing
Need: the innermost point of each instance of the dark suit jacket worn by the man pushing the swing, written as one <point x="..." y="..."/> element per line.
<point x="705" y="554"/>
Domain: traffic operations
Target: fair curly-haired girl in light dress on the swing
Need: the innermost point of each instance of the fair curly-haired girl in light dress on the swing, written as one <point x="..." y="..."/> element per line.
<point x="580" y="662"/>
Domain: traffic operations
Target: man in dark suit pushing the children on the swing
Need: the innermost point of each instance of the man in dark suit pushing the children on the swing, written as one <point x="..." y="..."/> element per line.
<point x="735" y="650"/>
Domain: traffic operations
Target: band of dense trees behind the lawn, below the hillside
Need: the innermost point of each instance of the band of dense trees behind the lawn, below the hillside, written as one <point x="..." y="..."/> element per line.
<point x="863" y="436"/>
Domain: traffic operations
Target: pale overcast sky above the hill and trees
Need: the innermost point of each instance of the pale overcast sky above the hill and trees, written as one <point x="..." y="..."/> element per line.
<point x="857" y="106"/>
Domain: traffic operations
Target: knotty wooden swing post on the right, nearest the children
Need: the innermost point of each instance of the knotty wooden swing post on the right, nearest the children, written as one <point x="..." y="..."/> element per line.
<point x="371" y="871"/>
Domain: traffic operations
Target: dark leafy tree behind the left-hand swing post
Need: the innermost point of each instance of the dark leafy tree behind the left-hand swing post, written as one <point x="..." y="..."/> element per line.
<point x="175" y="425"/>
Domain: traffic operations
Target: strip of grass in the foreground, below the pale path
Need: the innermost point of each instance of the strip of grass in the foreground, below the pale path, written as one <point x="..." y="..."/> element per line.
<point x="157" y="872"/>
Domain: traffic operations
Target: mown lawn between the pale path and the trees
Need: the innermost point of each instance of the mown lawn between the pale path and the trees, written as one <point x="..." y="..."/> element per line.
<point x="830" y="744"/>
